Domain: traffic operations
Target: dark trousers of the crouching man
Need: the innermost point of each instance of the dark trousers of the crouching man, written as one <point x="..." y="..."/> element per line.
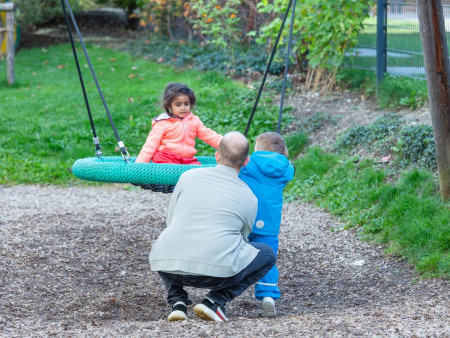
<point x="223" y="289"/>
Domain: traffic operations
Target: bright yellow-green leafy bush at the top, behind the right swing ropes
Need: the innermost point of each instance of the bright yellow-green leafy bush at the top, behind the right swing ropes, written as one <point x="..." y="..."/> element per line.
<point x="323" y="30"/>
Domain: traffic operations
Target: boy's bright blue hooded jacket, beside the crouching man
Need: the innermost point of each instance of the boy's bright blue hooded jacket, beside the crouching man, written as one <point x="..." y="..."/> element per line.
<point x="266" y="174"/>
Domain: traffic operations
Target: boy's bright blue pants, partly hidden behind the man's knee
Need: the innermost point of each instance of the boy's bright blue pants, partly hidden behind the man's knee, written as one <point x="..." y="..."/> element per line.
<point x="268" y="285"/>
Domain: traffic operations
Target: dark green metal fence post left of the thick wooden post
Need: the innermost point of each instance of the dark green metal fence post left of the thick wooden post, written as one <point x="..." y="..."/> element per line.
<point x="381" y="39"/>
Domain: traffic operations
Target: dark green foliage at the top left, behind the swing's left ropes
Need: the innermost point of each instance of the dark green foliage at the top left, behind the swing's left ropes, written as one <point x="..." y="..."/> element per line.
<point x="36" y="12"/>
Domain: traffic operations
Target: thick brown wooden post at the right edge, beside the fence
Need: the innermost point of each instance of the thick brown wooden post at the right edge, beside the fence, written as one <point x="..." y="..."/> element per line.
<point x="437" y="68"/>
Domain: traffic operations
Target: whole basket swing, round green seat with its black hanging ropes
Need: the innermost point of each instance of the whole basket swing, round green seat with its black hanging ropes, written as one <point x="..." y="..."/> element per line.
<point x="154" y="176"/>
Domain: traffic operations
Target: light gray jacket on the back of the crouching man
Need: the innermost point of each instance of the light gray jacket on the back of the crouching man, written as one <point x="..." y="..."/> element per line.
<point x="211" y="213"/>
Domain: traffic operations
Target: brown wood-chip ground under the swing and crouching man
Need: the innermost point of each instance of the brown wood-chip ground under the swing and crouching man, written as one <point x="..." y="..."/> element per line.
<point x="73" y="261"/>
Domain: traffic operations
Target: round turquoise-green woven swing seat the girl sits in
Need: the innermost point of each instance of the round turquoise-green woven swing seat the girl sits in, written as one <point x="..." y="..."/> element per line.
<point x="114" y="169"/>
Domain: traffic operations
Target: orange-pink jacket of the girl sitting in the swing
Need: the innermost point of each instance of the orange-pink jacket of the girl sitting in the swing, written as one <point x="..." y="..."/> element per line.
<point x="176" y="135"/>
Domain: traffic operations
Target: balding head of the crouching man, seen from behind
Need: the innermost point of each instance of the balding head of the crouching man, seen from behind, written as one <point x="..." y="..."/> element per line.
<point x="233" y="150"/>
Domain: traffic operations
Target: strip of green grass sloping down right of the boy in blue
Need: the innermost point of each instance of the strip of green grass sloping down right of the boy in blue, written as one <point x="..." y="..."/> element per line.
<point x="408" y="216"/>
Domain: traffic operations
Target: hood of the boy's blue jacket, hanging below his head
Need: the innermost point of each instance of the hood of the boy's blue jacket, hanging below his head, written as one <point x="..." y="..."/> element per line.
<point x="271" y="164"/>
